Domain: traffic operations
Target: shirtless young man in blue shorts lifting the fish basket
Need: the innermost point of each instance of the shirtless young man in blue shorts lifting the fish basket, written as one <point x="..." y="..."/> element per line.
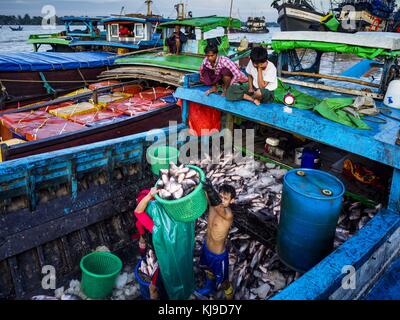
<point x="214" y="255"/>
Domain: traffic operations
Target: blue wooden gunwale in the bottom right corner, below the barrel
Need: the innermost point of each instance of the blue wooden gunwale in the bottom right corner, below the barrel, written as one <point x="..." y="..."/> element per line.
<point x="326" y="277"/>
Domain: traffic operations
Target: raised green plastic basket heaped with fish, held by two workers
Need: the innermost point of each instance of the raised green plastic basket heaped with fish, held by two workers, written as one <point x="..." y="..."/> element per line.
<point x="190" y="207"/>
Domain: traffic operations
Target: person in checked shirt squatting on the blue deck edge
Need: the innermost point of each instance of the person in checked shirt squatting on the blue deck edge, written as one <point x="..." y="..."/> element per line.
<point x="217" y="69"/>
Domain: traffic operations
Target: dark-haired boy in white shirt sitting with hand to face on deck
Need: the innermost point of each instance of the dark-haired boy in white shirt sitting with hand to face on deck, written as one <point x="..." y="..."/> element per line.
<point x="262" y="79"/>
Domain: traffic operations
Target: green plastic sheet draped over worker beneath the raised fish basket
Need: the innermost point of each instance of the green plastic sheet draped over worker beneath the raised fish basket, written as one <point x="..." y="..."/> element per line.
<point x="173" y="243"/>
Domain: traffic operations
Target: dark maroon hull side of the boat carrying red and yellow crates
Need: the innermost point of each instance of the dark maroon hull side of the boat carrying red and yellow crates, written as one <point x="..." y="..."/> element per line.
<point x="152" y="120"/>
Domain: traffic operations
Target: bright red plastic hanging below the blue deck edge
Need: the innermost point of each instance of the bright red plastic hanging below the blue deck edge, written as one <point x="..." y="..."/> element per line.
<point x="203" y="117"/>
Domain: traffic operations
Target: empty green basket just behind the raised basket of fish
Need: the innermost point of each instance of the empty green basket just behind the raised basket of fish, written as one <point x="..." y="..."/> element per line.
<point x="160" y="158"/>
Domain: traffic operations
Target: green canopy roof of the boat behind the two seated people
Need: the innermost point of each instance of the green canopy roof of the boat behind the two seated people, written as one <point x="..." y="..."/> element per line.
<point x="205" y="23"/>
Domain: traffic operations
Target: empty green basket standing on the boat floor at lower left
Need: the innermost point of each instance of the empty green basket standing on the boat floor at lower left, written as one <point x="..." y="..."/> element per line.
<point x="99" y="273"/>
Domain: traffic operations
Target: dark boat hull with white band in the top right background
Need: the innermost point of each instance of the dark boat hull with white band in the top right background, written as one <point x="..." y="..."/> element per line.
<point x="297" y="15"/>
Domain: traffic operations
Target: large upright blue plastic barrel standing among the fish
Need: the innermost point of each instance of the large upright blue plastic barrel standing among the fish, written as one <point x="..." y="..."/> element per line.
<point x="310" y="209"/>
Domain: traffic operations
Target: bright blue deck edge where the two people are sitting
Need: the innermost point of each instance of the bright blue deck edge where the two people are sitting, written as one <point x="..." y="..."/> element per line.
<point x="377" y="144"/>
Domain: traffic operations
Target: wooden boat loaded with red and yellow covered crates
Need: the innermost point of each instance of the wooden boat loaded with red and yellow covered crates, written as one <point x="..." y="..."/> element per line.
<point x="105" y="111"/>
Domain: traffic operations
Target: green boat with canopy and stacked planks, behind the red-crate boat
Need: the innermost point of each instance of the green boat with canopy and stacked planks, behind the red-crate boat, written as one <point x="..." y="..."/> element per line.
<point x="157" y="64"/>
